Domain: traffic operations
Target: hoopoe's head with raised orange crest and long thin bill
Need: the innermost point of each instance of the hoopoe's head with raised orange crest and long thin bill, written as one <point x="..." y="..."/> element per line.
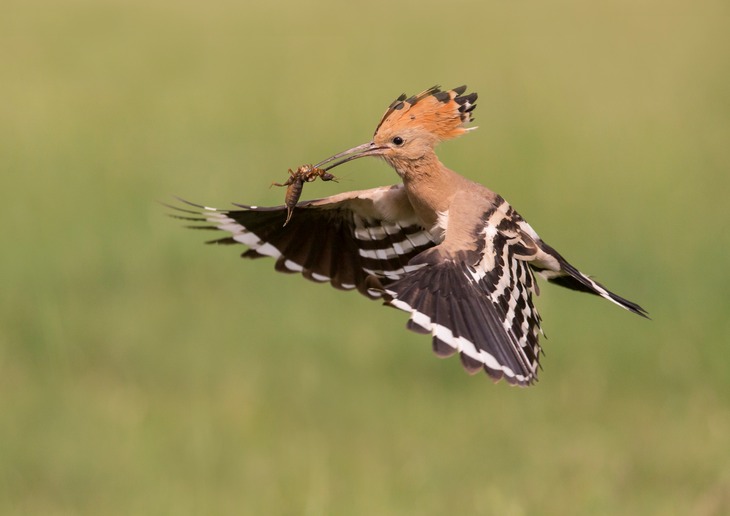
<point x="413" y="126"/>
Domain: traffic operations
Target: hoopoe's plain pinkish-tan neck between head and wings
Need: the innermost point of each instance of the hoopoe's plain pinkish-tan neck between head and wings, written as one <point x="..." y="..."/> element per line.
<point x="430" y="186"/>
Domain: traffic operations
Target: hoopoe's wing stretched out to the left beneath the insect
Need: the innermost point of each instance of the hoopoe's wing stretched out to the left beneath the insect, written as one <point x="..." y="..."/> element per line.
<point x="342" y="239"/>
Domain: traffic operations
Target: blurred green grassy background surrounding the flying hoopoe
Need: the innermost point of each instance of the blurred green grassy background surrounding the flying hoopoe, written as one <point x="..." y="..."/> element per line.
<point x="142" y="372"/>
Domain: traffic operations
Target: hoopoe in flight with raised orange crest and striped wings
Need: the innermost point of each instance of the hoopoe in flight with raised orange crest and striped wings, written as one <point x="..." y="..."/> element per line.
<point x="446" y="250"/>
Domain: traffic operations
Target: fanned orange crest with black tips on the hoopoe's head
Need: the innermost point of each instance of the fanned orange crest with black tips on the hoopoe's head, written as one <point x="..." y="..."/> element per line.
<point x="442" y="113"/>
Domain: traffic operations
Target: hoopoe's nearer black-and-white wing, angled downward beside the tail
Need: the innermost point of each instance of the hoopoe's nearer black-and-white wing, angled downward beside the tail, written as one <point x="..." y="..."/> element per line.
<point x="479" y="303"/>
